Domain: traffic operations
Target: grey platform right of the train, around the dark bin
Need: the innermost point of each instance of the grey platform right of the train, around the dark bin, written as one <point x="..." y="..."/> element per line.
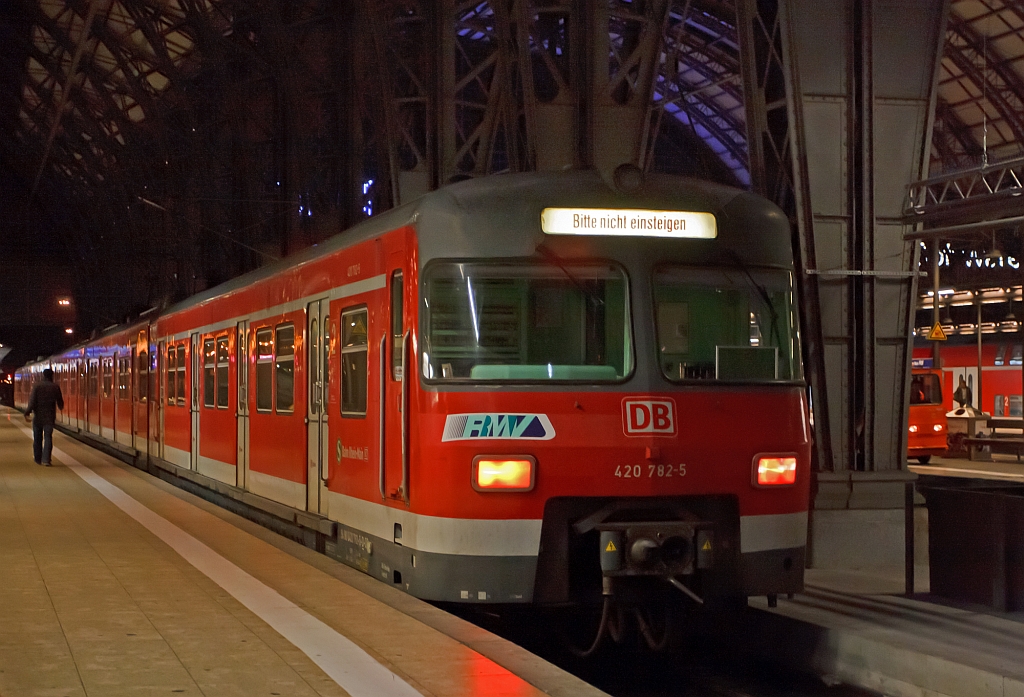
<point x="859" y="628"/>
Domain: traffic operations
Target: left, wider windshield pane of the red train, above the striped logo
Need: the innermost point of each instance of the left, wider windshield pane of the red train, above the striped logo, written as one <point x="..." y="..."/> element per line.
<point x="534" y="323"/>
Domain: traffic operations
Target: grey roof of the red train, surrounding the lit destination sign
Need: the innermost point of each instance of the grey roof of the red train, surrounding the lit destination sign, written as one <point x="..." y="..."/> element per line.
<point x="499" y="216"/>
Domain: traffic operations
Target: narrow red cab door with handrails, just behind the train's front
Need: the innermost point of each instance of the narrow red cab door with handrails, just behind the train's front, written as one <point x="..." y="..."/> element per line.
<point x="395" y="395"/>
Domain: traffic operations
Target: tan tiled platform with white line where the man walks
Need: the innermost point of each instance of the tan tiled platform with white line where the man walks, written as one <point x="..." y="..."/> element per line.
<point x="114" y="583"/>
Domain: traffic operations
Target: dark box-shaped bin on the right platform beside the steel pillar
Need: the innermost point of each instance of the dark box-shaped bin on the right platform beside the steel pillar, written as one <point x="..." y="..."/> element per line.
<point x="976" y="545"/>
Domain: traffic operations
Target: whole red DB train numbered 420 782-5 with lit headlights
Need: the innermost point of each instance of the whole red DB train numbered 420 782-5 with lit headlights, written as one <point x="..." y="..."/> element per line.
<point x="522" y="389"/>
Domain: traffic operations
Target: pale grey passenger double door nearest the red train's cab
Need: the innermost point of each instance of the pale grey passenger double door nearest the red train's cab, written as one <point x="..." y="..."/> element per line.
<point x="318" y="460"/>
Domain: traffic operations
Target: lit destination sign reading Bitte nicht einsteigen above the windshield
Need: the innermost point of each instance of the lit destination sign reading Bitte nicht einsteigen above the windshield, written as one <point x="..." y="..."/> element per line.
<point x="629" y="223"/>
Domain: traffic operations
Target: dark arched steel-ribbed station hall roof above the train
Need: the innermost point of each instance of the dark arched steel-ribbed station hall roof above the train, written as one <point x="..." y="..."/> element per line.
<point x="185" y="142"/>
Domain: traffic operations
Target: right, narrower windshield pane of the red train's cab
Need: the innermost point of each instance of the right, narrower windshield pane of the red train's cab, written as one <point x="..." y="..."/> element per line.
<point x="727" y="325"/>
